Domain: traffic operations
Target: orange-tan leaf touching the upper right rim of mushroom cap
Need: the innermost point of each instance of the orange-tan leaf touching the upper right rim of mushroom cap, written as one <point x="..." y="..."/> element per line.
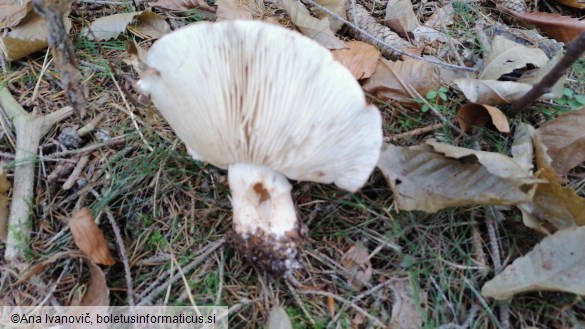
<point x="359" y="57"/>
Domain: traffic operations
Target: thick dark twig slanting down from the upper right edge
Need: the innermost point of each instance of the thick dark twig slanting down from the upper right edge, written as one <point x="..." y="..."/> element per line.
<point x="575" y="49"/>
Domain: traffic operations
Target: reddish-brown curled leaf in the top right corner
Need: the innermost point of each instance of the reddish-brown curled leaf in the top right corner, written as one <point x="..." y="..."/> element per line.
<point x="561" y="28"/>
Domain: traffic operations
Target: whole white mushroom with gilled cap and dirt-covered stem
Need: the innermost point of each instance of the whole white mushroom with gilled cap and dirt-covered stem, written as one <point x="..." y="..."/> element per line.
<point x="265" y="103"/>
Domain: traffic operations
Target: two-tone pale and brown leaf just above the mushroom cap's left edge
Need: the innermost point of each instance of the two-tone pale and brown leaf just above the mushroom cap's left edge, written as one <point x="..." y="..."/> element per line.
<point x="148" y="25"/>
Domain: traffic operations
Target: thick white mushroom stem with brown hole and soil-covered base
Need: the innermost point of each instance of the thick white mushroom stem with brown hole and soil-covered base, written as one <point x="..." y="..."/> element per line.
<point x="266" y="228"/>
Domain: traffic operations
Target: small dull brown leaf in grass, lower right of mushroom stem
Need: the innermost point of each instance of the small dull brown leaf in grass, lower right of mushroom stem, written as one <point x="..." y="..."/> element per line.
<point x="356" y="261"/>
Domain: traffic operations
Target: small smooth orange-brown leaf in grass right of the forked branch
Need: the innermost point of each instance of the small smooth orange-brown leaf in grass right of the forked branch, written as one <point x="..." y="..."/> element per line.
<point x="89" y="238"/>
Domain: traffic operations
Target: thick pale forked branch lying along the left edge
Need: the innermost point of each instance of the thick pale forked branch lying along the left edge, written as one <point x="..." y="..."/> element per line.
<point x="30" y="128"/>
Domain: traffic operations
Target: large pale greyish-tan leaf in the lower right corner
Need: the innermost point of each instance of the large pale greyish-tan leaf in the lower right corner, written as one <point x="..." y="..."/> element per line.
<point x="556" y="263"/>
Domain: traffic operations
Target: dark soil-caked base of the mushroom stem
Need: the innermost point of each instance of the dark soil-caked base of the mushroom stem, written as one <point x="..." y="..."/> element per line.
<point x="277" y="256"/>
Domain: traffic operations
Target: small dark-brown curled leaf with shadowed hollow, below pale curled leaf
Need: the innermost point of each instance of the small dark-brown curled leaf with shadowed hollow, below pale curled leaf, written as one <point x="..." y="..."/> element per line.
<point x="479" y="115"/>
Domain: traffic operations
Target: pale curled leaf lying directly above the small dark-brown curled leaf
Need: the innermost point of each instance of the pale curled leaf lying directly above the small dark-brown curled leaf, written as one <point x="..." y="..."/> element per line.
<point x="492" y="92"/>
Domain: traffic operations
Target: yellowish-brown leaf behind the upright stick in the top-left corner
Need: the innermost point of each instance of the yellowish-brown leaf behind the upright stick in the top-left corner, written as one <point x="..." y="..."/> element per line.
<point x="29" y="36"/>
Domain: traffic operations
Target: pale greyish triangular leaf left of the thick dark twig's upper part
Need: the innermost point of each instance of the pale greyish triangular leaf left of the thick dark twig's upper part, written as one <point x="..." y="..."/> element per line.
<point x="506" y="55"/>
